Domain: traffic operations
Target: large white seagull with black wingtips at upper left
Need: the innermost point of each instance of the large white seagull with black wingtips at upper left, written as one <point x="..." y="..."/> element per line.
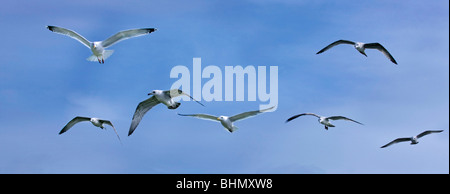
<point x="98" y="47"/>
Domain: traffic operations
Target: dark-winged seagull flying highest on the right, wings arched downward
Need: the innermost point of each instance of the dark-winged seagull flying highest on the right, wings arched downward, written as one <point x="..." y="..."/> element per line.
<point x="361" y="47"/>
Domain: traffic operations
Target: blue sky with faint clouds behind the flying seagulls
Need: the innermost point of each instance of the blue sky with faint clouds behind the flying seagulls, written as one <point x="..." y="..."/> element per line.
<point x="45" y="81"/>
